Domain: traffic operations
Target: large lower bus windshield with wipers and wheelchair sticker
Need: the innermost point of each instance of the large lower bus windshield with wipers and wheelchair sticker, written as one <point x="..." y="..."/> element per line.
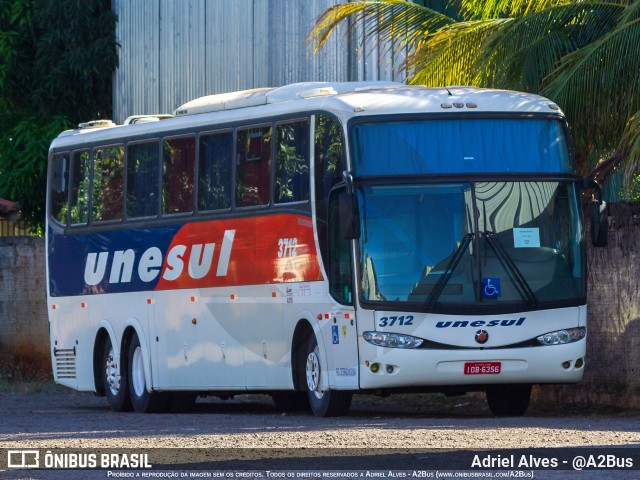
<point x="481" y="244"/>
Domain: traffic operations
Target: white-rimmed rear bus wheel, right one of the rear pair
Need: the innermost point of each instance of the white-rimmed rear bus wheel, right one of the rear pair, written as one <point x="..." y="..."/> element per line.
<point x="142" y="399"/>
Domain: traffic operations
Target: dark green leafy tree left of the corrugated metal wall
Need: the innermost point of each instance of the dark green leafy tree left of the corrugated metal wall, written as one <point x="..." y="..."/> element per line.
<point x="57" y="58"/>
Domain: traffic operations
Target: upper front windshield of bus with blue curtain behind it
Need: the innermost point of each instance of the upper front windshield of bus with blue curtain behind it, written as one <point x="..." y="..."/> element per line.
<point x="459" y="146"/>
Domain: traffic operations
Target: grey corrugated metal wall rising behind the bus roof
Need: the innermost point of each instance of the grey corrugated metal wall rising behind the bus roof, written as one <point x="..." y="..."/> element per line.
<point x="172" y="51"/>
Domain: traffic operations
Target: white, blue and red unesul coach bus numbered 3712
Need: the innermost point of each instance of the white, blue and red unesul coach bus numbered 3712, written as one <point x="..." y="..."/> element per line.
<point x="317" y="240"/>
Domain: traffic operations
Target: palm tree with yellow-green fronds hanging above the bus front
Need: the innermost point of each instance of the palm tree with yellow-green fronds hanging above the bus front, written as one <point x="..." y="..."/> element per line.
<point x="582" y="54"/>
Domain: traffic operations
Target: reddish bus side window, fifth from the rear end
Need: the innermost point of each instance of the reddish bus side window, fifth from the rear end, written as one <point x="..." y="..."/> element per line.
<point x="178" y="170"/>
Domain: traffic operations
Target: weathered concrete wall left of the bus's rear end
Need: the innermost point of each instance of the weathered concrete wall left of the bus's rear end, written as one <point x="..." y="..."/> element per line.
<point x="24" y="327"/>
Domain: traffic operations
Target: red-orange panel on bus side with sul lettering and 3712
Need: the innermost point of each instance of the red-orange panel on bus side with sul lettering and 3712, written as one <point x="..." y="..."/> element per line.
<point x="241" y="251"/>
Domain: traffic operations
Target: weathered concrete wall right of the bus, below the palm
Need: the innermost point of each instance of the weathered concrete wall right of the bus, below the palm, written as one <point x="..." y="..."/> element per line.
<point x="612" y="372"/>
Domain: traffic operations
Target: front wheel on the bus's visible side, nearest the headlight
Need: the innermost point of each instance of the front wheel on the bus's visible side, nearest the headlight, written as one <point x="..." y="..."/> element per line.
<point x="324" y="403"/>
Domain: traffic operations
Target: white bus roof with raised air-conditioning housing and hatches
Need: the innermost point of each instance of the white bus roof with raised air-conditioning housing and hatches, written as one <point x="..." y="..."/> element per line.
<point x="344" y="99"/>
